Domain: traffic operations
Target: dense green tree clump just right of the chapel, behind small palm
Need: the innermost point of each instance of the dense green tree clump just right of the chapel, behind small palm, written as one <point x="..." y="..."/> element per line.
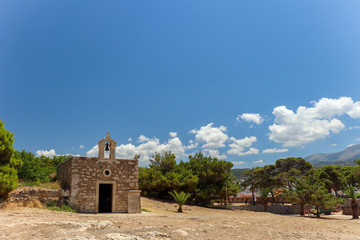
<point x="207" y="179"/>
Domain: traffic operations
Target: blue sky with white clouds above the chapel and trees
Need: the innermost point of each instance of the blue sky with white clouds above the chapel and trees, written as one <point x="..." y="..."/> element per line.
<point x="223" y="77"/>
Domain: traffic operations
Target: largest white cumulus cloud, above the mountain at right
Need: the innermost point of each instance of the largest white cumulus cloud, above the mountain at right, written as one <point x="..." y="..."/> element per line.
<point x="309" y="124"/>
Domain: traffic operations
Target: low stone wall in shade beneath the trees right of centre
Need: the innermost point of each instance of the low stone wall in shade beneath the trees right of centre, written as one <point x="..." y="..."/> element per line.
<point x="277" y="209"/>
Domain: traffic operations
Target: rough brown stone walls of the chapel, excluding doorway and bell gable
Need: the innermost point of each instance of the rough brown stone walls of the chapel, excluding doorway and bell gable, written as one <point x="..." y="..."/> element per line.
<point x="87" y="173"/>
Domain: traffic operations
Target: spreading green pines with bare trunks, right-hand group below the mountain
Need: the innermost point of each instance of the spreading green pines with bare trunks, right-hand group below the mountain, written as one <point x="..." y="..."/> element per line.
<point x="303" y="184"/>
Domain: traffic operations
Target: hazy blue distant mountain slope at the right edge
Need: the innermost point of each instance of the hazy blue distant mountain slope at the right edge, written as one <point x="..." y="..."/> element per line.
<point x="342" y="158"/>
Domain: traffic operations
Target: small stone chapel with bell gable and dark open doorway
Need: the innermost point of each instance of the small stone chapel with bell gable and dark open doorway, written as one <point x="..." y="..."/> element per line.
<point x="101" y="185"/>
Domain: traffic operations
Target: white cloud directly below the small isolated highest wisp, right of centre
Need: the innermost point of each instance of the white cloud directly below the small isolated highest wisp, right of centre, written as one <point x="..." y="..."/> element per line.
<point x="238" y="146"/>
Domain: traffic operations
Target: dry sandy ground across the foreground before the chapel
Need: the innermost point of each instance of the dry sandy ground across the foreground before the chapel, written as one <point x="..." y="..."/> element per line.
<point x="163" y="222"/>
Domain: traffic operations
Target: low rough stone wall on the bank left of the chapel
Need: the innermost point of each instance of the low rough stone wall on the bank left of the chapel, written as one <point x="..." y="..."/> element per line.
<point x="30" y="193"/>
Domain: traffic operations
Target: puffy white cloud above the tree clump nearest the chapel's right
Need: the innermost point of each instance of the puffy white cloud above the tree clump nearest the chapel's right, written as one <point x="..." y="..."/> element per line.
<point x="212" y="137"/>
